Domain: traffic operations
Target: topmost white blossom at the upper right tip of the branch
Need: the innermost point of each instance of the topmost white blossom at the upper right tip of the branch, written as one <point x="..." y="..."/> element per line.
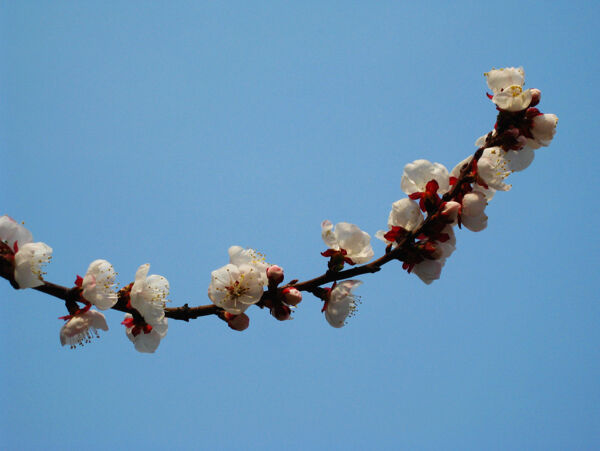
<point x="507" y="86"/>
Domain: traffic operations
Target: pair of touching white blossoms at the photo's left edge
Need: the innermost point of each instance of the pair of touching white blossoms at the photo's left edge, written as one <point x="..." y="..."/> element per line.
<point x="29" y="256"/>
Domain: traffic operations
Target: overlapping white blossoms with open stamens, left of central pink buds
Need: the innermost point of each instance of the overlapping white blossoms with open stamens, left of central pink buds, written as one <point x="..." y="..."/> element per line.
<point x="239" y="284"/>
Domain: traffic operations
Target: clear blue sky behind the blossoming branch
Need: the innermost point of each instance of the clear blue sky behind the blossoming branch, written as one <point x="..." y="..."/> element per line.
<point x="164" y="132"/>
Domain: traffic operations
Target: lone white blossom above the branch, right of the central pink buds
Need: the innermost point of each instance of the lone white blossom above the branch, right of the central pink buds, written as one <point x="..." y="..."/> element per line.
<point x="349" y="238"/>
